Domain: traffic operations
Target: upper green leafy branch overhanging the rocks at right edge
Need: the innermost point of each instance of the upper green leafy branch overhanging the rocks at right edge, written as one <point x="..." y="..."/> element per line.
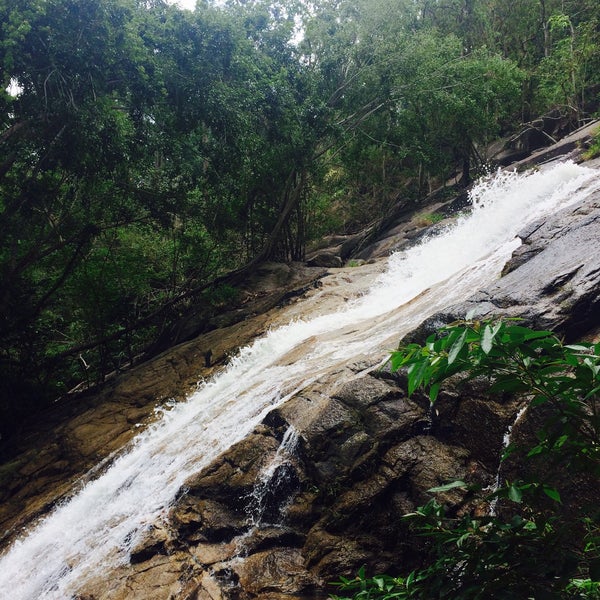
<point x="516" y="359"/>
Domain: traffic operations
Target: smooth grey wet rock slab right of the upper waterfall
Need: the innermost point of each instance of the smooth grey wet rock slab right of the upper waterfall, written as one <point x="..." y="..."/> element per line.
<point x="552" y="280"/>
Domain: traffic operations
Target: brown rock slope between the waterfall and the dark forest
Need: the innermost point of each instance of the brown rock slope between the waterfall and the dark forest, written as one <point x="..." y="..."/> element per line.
<point x="84" y="430"/>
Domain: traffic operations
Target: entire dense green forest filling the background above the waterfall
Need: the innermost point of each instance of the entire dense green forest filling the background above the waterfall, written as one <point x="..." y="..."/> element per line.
<point x="147" y="150"/>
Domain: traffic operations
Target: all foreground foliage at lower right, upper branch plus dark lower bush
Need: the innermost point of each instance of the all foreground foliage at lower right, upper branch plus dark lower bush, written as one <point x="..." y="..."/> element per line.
<point x="531" y="549"/>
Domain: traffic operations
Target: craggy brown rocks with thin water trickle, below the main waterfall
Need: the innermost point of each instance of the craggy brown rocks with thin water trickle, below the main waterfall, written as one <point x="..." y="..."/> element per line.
<point x="365" y="455"/>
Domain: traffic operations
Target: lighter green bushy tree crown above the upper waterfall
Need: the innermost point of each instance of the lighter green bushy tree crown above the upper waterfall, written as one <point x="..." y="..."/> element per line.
<point x="406" y="99"/>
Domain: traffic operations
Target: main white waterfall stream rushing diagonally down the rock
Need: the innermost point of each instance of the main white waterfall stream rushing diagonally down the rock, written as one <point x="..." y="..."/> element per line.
<point x="95" y="529"/>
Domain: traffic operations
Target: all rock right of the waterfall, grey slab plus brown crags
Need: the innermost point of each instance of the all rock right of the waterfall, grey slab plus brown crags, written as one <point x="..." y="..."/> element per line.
<point x="366" y="453"/>
